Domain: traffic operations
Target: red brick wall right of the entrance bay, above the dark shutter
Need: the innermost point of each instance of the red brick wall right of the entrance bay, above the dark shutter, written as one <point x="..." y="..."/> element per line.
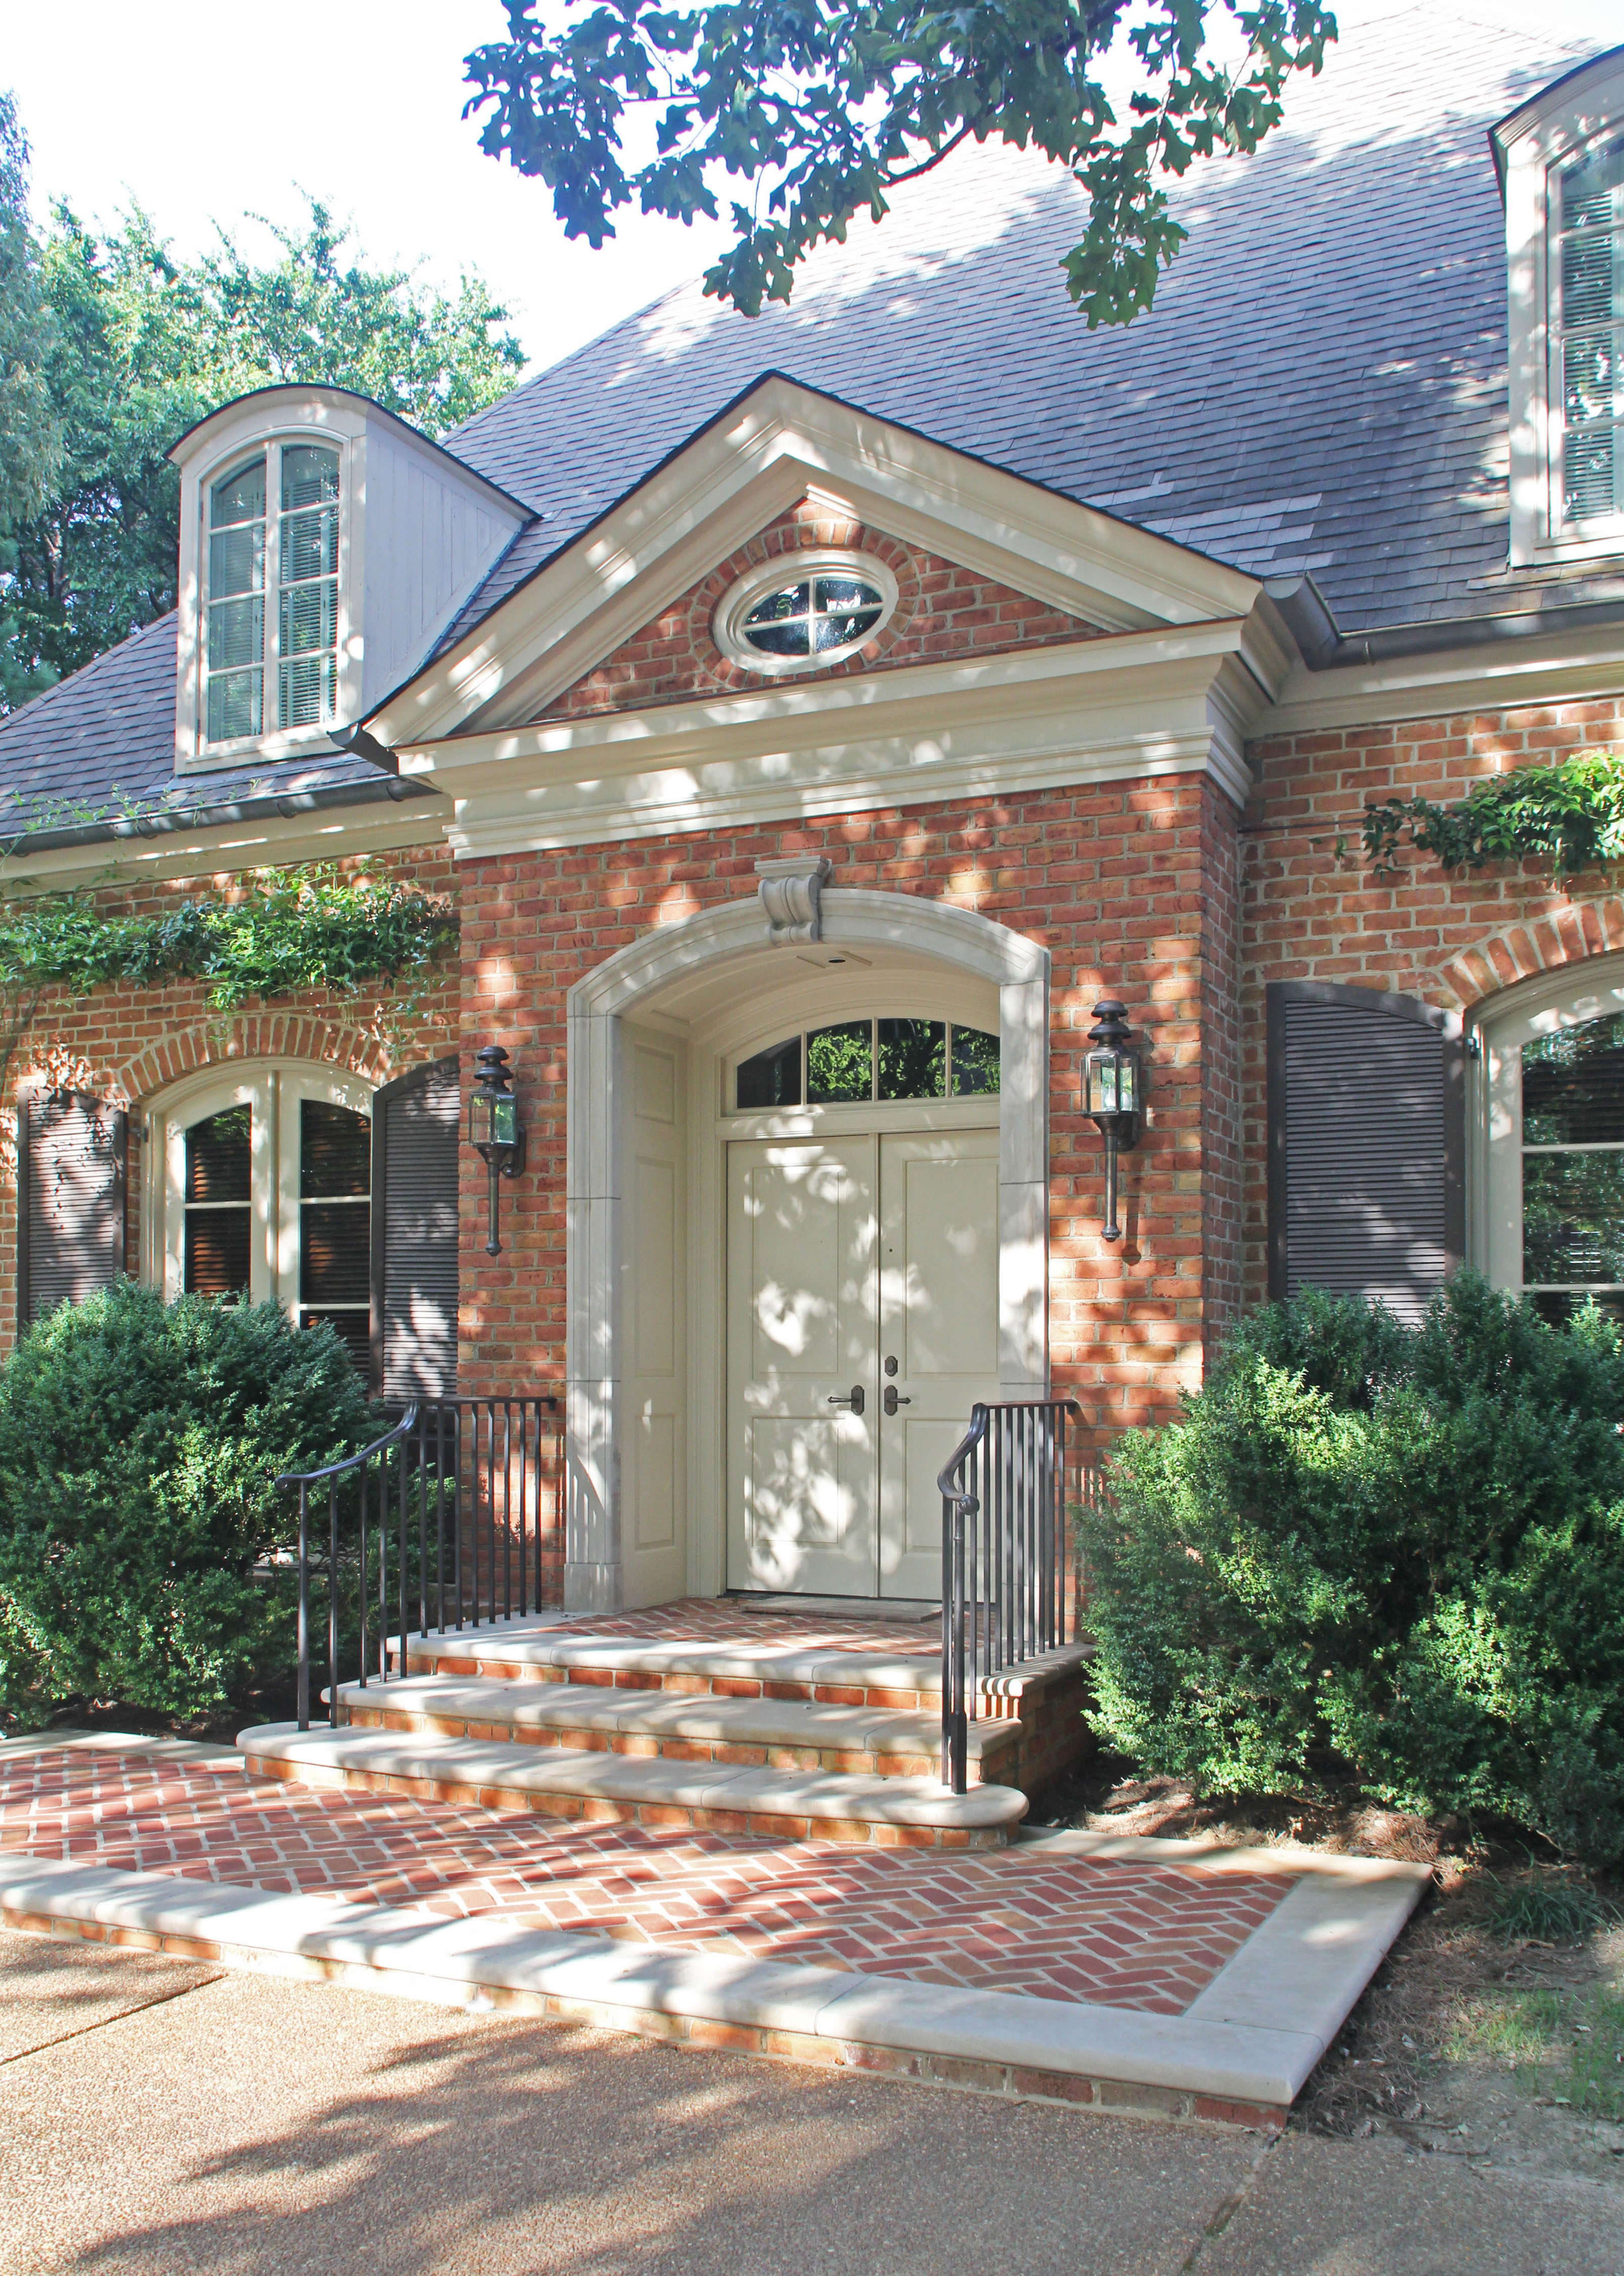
<point x="1447" y="939"/>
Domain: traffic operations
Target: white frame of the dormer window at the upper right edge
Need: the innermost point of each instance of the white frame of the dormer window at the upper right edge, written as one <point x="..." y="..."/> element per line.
<point x="1534" y="147"/>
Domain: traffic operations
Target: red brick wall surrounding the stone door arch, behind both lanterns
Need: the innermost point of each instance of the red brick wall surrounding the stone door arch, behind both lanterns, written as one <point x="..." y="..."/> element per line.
<point x="1110" y="880"/>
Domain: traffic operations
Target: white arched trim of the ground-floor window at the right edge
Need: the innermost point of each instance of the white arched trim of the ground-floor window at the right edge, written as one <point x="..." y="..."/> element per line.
<point x="1541" y="1007"/>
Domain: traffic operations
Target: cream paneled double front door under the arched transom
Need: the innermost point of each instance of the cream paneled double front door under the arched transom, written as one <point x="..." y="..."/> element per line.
<point x="862" y="1328"/>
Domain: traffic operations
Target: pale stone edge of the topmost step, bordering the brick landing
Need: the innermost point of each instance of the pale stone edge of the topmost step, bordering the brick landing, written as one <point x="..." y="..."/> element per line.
<point x="511" y="1644"/>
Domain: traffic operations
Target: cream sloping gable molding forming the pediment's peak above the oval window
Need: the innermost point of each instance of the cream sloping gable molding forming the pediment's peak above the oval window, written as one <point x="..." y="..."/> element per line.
<point x="744" y="472"/>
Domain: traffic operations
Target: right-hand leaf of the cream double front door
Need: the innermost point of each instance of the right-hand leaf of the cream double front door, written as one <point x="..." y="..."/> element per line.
<point x="940" y="1326"/>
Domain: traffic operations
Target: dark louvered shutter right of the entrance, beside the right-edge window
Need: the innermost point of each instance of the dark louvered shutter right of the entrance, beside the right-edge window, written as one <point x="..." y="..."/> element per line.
<point x="1365" y="1146"/>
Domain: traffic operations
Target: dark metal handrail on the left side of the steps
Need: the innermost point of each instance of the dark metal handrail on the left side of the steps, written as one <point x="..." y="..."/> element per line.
<point x="468" y="1526"/>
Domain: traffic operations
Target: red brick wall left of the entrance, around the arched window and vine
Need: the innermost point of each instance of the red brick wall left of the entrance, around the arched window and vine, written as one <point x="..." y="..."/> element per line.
<point x="129" y="1044"/>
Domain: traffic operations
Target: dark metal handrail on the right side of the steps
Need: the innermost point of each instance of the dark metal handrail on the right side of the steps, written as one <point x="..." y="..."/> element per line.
<point x="1003" y="1558"/>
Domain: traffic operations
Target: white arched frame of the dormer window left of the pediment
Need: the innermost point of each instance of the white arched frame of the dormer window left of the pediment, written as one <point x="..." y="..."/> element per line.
<point x="343" y="429"/>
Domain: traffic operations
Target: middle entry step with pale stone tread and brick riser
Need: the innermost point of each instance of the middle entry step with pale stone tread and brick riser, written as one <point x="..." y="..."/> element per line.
<point x="753" y="1733"/>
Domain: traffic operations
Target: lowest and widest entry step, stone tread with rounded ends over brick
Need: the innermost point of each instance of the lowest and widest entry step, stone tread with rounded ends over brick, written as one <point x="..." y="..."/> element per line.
<point x="643" y="1790"/>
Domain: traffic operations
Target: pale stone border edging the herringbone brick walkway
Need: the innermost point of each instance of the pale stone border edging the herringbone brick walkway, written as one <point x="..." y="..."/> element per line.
<point x="1238" y="2056"/>
